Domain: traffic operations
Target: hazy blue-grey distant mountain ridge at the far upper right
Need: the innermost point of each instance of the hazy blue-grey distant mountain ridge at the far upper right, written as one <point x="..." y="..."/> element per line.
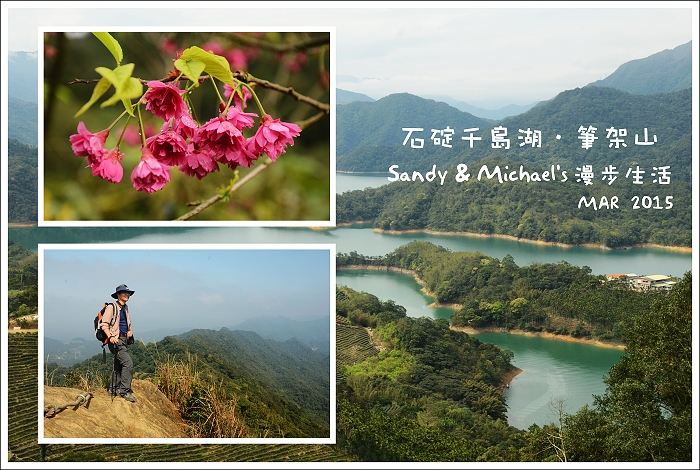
<point x="664" y="72"/>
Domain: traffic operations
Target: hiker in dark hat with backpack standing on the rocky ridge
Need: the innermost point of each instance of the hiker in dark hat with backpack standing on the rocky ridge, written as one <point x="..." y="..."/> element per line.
<point x="119" y="336"/>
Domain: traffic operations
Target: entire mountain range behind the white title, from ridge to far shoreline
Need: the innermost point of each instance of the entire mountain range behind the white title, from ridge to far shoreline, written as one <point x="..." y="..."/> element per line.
<point x="630" y="194"/>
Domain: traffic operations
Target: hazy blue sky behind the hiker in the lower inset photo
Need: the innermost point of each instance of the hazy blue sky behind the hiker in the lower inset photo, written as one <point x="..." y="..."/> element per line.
<point x="189" y="286"/>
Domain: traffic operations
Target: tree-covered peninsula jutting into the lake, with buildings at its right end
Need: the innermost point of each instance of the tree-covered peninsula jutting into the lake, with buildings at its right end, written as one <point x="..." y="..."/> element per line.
<point x="556" y="298"/>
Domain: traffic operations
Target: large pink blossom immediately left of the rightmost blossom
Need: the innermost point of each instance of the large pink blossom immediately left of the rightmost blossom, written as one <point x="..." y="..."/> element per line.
<point x="223" y="140"/>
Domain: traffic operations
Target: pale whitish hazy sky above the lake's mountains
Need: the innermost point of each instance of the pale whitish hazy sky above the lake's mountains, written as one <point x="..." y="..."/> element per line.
<point x="488" y="57"/>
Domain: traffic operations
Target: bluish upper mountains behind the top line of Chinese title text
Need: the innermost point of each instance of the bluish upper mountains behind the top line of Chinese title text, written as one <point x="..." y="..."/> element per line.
<point x="378" y="139"/>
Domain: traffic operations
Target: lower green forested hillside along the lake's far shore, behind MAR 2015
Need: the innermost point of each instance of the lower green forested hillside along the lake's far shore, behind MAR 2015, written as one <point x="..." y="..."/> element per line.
<point x="618" y="215"/>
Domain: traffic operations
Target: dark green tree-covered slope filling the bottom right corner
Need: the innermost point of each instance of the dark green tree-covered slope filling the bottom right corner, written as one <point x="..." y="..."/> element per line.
<point x="646" y="411"/>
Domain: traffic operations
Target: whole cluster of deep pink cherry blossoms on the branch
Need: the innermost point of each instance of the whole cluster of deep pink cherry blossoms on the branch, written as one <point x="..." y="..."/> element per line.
<point x="182" y="142"/>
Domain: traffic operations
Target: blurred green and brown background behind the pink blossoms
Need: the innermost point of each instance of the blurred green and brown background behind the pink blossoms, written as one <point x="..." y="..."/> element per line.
<point x="294" y="188"/>
